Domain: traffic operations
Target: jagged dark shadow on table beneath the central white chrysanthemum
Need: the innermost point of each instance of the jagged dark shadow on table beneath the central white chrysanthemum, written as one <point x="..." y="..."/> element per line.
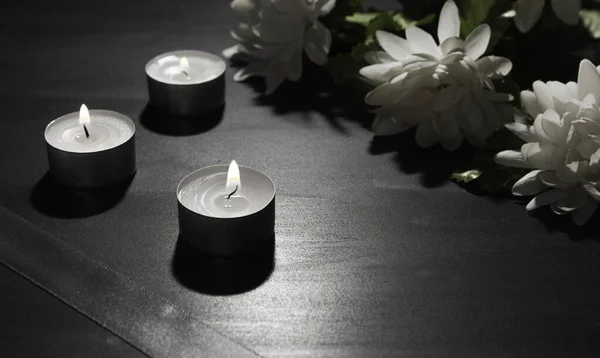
<point x="435" y="165"/>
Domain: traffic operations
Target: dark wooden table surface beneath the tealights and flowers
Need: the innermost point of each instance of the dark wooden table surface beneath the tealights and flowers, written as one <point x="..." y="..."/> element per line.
<point x="375" y="253"/>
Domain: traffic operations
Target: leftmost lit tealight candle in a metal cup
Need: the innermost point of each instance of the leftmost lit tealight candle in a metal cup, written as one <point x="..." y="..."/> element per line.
<point x="90" y="149"/>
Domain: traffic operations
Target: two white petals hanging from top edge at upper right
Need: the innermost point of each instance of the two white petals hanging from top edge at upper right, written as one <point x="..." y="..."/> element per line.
<point x="529" y="12"/>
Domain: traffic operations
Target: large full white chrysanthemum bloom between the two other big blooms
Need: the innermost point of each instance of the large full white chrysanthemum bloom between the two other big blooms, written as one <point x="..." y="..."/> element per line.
<point x="445" y="91"/>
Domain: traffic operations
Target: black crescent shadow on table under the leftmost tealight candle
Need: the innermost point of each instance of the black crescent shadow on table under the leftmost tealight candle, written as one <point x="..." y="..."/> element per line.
<point x="56" y="200"/>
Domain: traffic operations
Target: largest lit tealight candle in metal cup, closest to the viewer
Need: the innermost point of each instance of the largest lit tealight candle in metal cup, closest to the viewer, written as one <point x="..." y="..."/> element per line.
<point x="226" y="210"/>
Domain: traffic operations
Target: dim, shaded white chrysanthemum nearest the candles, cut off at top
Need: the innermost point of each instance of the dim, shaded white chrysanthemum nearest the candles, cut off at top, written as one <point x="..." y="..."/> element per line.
<point x="272" y="35"/>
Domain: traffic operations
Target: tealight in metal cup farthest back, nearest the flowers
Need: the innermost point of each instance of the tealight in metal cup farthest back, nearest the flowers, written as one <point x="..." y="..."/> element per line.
<point x="186" y="82"/>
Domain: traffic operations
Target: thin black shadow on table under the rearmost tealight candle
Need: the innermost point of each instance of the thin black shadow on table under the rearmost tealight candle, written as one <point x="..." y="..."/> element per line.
<point x="167" y="124"/>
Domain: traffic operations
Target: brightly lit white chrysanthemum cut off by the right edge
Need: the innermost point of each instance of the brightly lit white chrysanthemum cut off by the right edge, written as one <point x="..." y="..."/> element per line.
<point x="563" y="146"/>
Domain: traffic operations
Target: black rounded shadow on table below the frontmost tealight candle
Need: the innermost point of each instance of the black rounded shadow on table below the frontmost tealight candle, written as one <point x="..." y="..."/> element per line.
<point x="221" y="276"/>
